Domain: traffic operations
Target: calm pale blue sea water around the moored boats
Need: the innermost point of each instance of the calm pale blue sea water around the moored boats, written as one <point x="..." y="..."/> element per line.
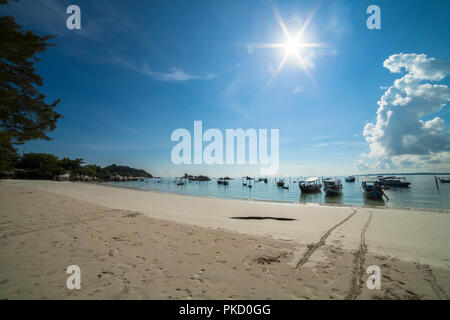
<point x="422" y="192"/>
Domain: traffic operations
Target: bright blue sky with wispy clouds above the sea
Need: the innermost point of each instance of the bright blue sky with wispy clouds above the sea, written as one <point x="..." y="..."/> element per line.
<point x="137" y="70"/>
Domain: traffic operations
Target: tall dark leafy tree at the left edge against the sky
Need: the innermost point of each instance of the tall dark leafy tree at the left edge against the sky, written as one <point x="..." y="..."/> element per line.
<point x="24" y="114"/>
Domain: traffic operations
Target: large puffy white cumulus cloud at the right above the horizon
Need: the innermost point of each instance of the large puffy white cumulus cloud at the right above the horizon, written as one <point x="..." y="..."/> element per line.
<point x="400" y="136"/>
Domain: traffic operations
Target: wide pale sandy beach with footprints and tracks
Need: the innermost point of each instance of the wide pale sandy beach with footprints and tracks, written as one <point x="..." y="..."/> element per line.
<point x="139" y="244"/>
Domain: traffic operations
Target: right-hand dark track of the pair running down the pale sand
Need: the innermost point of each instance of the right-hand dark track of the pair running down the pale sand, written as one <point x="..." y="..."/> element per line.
<point x="358" y="263"/>
